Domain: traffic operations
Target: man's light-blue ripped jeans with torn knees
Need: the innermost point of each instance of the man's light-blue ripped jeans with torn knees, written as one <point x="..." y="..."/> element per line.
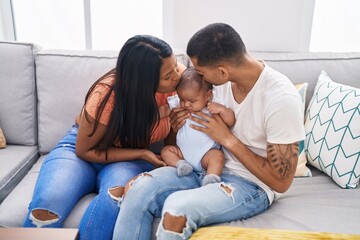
<point x="162" y="191"/>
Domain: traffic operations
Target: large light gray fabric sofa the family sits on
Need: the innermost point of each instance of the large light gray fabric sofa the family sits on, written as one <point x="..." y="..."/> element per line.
<point x="41" y="91"/>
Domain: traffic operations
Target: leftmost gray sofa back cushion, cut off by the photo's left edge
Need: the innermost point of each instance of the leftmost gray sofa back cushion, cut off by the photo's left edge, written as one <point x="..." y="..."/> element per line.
<point x="17" y="93"/>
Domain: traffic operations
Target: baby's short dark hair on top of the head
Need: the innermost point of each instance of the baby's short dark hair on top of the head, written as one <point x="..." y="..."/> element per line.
<point x="191" y="78"/>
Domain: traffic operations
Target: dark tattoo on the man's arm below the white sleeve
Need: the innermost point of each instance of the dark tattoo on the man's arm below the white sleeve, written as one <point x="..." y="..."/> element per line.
<point x="281" y="157"/>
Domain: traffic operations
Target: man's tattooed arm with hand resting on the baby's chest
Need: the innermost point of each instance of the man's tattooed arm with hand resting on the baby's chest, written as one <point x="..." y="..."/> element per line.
<point x="276" y="171"/>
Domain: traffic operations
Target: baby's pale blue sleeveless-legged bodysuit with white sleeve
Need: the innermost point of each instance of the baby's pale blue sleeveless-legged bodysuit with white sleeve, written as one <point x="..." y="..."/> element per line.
<point x="192" y="143"/>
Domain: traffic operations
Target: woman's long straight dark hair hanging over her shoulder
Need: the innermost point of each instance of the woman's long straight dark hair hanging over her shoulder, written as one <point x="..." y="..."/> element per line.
<point x="137" y="75"/>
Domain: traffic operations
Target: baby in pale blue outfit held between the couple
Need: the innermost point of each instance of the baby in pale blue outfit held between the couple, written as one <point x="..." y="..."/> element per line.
<point x="194" y="150"/>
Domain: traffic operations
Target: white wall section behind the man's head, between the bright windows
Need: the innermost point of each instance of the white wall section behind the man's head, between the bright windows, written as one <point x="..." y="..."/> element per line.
<point x="264" y="25"/>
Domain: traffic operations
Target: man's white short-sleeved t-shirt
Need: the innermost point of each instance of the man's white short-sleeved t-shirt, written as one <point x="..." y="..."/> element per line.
<point x="271" y="112"/>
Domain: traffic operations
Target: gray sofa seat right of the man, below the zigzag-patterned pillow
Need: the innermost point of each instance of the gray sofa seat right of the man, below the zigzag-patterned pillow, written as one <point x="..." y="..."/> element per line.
<point x="315" y="204"/>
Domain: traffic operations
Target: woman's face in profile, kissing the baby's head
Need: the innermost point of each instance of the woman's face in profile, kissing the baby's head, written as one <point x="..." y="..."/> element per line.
<point x="170" y="72"/>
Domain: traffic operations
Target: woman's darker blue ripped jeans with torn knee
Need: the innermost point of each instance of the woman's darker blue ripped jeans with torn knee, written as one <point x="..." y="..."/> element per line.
<point x="64" y="179"/>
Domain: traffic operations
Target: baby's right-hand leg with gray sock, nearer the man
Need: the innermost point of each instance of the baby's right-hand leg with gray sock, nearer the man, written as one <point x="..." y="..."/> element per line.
<point x="213" y="161"/>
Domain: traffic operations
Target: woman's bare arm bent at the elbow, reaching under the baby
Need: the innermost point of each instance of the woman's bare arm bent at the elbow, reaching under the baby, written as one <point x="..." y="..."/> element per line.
<point x="85" y="143"/>
